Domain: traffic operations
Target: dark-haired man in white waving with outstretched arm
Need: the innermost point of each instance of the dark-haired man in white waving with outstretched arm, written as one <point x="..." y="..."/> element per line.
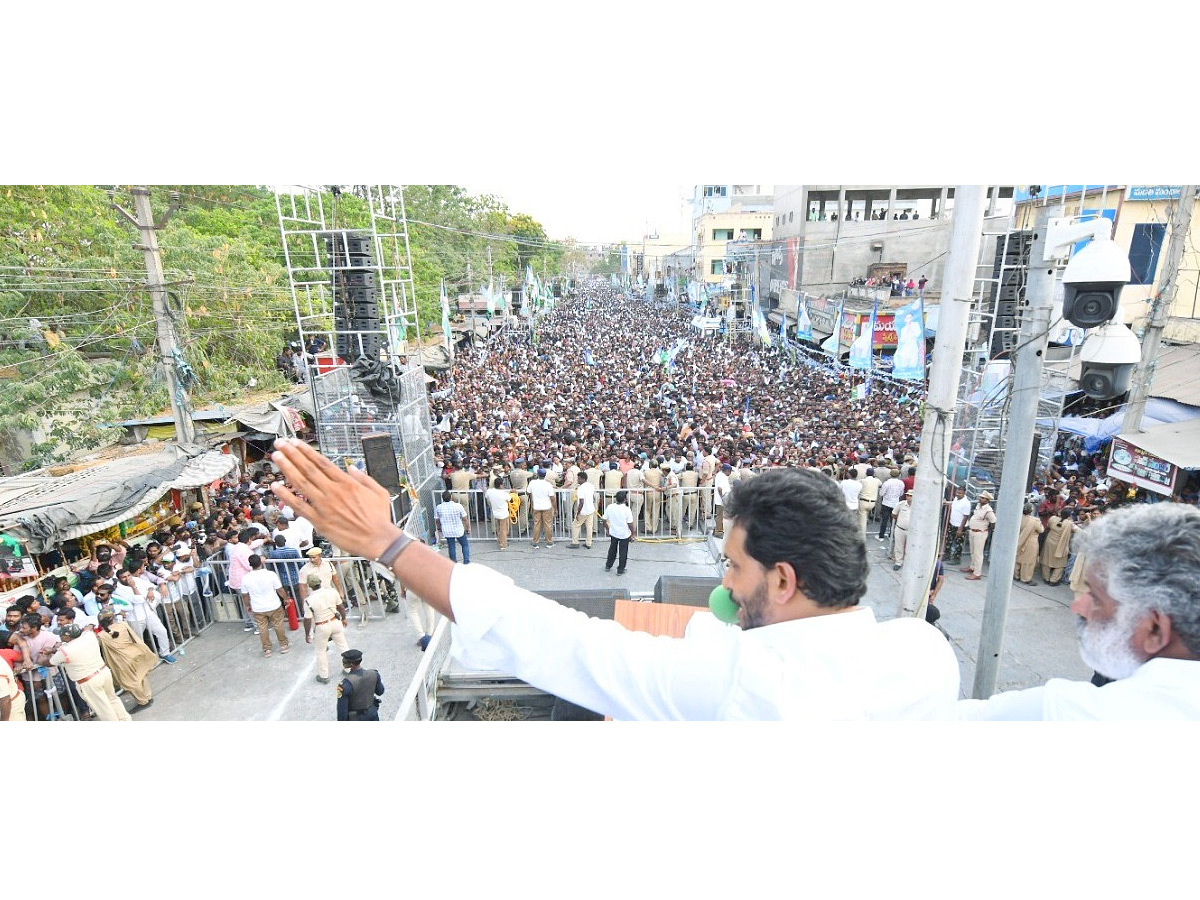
<point x="797" y="571"/>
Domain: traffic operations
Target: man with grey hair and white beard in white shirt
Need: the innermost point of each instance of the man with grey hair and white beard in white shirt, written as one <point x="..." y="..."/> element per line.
<point x="1141" y="626"/>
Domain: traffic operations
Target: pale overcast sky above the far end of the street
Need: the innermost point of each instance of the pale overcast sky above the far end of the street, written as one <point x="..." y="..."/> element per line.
<point x="595" y="212"/>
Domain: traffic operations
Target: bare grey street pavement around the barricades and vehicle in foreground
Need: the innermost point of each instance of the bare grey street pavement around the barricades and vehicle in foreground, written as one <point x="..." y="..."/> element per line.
<point x="224" y="676"/>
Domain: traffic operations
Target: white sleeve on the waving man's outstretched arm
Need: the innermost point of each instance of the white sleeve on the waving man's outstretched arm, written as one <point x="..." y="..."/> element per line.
<point x="595" y="663"/>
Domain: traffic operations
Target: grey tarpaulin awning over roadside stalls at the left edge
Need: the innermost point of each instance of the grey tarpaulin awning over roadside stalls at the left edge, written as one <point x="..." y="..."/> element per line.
<point x="44" y="509"/>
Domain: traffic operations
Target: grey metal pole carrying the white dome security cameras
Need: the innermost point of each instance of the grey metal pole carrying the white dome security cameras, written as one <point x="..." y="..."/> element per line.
<point x="1023" y="413"/>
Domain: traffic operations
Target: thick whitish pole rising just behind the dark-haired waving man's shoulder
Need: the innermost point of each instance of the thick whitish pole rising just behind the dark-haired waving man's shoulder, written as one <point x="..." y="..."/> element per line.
<point x="958" y="286"/>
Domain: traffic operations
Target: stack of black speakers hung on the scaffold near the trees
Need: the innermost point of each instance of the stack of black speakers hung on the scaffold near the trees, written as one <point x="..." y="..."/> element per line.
<point x="356" y="298"/>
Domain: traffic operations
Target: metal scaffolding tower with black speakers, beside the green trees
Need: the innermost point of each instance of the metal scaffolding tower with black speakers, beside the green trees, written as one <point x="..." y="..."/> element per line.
<point x="351" y="275"/>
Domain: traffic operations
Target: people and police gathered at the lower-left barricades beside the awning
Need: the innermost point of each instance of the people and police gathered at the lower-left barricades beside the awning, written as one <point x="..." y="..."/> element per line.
<point x="142" y="603"/>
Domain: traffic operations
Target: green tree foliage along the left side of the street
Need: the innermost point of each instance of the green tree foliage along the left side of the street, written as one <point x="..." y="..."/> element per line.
<point x="71" y="265"/>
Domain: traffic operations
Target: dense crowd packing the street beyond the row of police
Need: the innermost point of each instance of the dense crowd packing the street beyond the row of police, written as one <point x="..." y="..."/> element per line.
<point x="613" y="383"/>
